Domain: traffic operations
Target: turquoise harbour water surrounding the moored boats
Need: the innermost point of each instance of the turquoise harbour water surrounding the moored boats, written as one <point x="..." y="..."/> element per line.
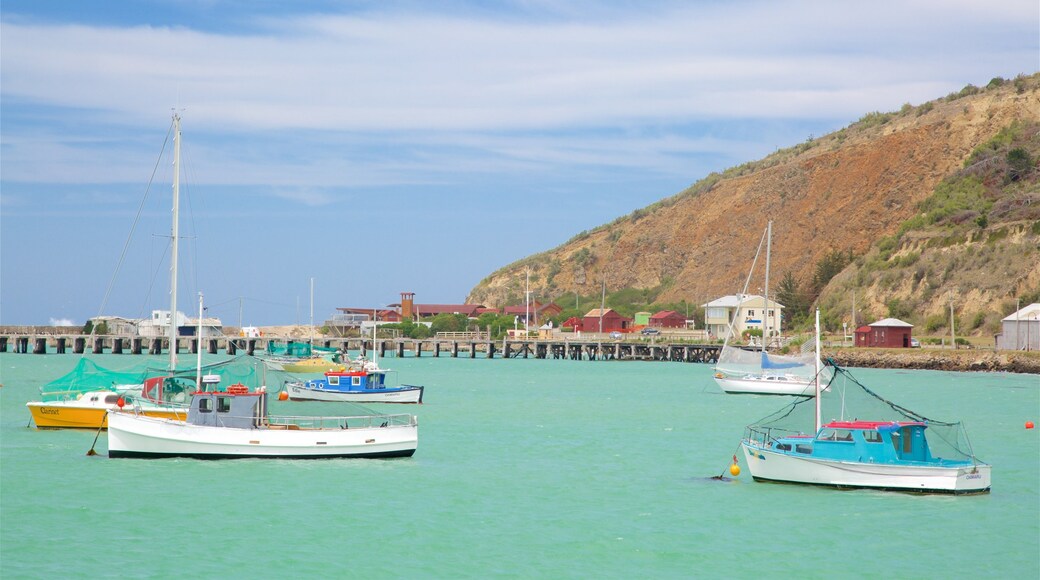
<point x="533" y="469"/>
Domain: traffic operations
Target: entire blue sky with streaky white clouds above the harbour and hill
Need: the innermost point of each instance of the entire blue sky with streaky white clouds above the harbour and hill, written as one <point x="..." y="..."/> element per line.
<point x="387" y="147"/>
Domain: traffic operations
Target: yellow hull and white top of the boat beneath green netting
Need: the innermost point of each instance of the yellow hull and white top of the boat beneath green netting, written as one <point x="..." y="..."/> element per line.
<point x="90" y="411"/>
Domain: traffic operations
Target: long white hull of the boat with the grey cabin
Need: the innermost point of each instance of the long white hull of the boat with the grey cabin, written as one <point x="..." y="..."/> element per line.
<point x="132" y="436"/>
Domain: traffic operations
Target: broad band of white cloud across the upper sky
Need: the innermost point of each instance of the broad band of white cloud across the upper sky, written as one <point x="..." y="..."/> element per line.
<point x="397" y="72"/>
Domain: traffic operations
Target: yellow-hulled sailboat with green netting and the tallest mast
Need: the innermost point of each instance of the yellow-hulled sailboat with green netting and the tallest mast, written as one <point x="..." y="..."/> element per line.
<point x="84" y="399"/>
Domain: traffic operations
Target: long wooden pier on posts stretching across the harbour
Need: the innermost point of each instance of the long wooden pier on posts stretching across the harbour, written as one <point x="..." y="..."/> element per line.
<point x="473" y="349"/>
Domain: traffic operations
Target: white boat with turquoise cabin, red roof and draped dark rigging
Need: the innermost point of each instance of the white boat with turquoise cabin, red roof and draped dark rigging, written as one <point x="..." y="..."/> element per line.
<point x="871" y="443"/>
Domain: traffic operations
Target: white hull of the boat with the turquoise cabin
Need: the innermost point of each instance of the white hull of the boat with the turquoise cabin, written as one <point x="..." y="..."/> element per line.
<point x="767" y="465"/>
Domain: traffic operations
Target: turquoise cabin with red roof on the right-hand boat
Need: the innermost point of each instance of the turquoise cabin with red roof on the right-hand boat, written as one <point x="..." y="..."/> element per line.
<point x="864" y="441"/>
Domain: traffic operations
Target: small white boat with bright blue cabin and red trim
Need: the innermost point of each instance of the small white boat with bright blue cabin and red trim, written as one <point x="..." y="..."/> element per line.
<point x="362" y="382"/>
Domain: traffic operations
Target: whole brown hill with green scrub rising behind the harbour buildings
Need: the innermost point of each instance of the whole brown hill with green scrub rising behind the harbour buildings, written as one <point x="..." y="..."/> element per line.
<point x="907" y="212"/>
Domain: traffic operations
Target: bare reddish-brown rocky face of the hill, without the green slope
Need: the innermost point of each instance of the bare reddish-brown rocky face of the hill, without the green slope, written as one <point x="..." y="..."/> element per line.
<point x="844" y="192"/>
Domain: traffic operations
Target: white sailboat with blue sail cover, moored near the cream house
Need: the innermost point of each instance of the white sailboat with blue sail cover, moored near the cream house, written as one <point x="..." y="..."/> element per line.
<point x="759" y="372"/>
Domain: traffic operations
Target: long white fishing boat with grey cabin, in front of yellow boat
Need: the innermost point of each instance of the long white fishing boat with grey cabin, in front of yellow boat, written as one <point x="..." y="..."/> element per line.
<point x="236" y="425"/>
